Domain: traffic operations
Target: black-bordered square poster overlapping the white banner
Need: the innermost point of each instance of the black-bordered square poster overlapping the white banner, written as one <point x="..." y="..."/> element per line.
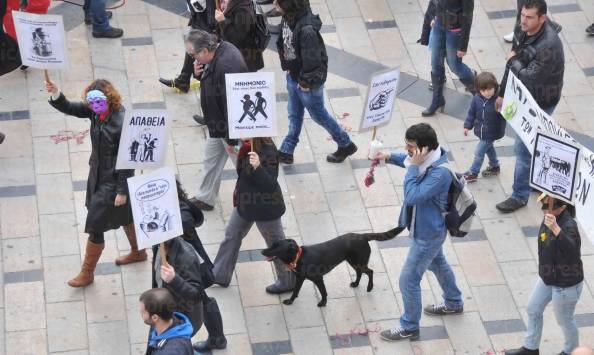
<point x="554" y="166"/>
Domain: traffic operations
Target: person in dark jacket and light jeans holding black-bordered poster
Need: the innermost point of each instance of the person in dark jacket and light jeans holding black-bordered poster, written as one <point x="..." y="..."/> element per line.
<point x="560" y="276"/>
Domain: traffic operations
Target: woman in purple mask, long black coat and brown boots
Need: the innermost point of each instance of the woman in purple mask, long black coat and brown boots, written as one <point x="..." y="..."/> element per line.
<point x="107" y="199"/>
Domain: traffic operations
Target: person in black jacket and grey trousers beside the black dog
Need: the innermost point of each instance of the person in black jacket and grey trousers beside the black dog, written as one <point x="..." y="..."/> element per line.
<point x="257" y="199"/>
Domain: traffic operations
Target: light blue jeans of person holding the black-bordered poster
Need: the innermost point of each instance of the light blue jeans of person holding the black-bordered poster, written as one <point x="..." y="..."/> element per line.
<point x="564" y="301"/>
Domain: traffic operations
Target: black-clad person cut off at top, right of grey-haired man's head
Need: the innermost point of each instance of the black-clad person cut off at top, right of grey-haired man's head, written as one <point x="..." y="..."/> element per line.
<point x="237" y="25"/>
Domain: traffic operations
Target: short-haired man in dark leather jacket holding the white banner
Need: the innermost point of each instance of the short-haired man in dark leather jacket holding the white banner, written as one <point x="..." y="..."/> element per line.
<point x="539" y="62"/>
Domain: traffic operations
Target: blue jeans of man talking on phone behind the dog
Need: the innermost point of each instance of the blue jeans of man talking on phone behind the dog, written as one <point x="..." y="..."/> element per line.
<point x="425" y="254"/>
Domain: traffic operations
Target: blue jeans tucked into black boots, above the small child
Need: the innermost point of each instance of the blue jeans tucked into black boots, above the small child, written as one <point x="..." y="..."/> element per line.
<point x="444" y="46"/>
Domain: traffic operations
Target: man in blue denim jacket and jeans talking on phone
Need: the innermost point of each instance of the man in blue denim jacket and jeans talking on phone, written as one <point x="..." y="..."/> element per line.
<point x="426" y="187"/>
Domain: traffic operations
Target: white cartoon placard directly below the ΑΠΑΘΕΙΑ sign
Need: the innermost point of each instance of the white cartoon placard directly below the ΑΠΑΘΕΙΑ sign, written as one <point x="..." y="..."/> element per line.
<point x="155" y="207"/>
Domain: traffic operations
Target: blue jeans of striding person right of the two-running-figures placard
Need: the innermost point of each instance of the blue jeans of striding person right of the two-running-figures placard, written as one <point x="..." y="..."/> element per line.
<point x="313" y="101"/>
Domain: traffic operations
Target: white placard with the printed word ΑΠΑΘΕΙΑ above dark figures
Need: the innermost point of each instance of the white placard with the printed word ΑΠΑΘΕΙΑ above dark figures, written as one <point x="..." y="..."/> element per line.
<point x="143" y="142"/>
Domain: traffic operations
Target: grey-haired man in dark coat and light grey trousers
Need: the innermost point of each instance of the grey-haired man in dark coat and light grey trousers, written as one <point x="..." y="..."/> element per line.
<point x="212" y="60"/>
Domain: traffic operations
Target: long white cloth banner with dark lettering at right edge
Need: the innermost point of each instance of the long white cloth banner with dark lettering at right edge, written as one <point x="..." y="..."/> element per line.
<point x="525" y="116"/>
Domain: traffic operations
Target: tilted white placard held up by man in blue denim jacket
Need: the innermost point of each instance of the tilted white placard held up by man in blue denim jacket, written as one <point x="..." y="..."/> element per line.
<point x="381" y="97"/>
